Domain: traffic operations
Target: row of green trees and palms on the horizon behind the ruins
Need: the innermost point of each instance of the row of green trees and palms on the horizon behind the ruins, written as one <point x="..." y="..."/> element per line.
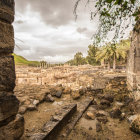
<point x="109" y="54"/>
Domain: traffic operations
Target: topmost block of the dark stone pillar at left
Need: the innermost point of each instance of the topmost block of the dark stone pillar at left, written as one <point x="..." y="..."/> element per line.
<point x="7" y="10"/>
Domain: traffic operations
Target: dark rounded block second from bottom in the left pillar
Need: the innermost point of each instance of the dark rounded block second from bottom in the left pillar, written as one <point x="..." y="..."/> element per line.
<point x="9" y="106"/>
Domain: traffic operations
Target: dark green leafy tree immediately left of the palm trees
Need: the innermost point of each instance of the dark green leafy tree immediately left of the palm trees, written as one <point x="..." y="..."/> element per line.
<point x="91" y="58"/>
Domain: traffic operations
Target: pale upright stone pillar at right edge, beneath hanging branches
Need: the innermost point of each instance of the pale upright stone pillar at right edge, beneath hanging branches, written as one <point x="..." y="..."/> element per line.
<point x="133" y="66"/>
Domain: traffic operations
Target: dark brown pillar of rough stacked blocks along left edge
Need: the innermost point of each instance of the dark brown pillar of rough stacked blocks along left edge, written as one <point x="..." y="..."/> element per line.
<point x="11" y="124"/>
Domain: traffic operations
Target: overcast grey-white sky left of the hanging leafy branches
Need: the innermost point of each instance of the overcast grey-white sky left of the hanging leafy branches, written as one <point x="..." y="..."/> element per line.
<point x="47" y="30"/>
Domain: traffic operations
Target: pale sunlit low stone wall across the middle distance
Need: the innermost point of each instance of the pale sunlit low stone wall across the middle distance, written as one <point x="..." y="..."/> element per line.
<point x="57" y="75"/>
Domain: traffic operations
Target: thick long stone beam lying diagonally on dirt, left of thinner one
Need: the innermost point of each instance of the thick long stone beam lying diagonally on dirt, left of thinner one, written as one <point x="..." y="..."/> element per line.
<point x="56" y="123"/>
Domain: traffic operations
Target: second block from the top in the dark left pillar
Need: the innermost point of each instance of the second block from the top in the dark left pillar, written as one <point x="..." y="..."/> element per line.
<point x="6" y="38"/>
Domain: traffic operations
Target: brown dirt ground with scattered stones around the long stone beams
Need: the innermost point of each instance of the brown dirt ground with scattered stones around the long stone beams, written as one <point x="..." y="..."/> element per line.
<point x="86" y="129"/>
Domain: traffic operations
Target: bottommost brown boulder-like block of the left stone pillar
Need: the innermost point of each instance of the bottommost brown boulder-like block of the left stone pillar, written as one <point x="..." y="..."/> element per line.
<point x="14" y="130"/>
